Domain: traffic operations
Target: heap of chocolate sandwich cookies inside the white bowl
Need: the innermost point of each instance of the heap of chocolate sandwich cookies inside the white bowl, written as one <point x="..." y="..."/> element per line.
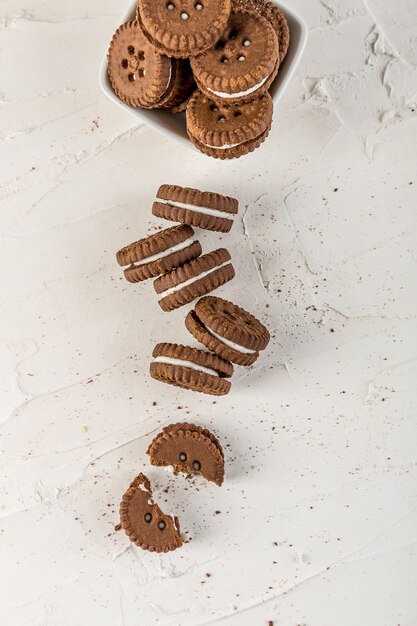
<point x="214" y="59"/>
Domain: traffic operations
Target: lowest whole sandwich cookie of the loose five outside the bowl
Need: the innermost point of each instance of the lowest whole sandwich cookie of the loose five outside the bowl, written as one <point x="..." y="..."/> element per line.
<point x="191" y="368"/>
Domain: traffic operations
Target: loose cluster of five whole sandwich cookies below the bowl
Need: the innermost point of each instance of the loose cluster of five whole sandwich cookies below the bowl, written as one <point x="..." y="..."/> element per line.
<point x="182" y="274"/>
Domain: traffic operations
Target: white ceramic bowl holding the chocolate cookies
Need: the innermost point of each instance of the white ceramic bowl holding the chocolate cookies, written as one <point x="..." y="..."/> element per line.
<point x="174" y="124"/>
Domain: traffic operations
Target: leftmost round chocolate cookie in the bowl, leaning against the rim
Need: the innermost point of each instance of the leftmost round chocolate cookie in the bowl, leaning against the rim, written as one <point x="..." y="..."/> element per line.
<point x="139" y="75"/>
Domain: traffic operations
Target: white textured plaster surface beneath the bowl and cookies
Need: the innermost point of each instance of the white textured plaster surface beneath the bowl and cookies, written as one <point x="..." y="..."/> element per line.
<point x="318" y="522"/>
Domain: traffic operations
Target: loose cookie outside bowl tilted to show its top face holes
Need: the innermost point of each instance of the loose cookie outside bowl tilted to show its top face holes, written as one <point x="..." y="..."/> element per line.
<point x="227" y="330"/>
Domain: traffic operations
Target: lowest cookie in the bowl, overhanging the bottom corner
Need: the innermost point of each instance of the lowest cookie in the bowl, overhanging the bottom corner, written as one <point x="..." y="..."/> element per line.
<point x="228" y="131"/>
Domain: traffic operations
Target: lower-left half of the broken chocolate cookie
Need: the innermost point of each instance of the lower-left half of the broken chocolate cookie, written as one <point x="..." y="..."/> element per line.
<point x="144" y="522"/>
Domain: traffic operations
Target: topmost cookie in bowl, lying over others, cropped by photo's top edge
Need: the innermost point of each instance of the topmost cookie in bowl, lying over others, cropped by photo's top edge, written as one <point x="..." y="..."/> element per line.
<point x="183" y="28"/>
